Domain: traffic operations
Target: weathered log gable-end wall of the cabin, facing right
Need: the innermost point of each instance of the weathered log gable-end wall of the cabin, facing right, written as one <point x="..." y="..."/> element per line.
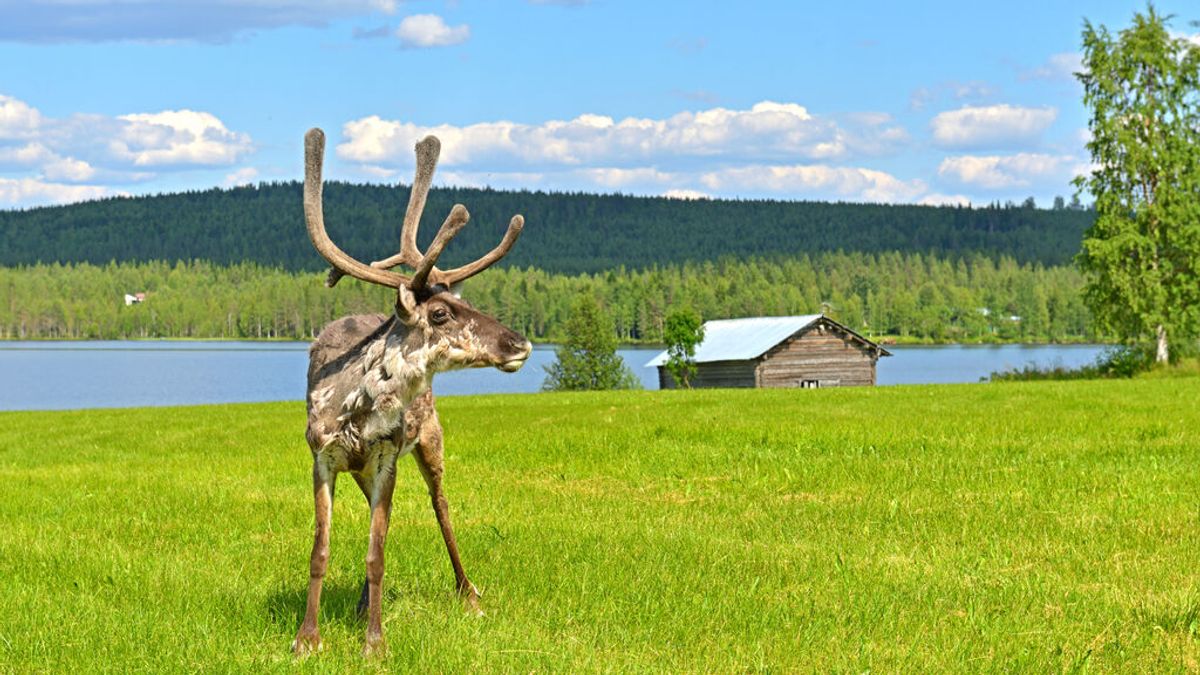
<point x="823" y="354"/>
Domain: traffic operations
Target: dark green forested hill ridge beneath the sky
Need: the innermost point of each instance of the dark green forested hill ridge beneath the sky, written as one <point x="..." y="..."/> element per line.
<point x="565" y="232"/>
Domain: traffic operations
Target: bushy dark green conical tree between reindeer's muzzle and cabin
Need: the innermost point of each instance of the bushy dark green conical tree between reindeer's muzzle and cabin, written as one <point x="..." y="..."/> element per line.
<point x="587" y="360"/>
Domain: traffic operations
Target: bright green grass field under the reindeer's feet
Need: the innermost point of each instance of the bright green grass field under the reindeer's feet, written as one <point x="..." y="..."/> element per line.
<point x="1019" y="528"/>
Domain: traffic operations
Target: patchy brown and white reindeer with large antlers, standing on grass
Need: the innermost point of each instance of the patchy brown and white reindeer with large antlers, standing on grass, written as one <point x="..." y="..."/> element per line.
<point x="369" y="381"/>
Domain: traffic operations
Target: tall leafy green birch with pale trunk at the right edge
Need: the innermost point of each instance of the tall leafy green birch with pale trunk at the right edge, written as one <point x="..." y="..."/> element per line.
<point x="1142" y="256"/>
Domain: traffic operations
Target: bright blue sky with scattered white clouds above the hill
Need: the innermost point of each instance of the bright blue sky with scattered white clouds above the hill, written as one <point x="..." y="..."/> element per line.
<point x="901" y="103"/>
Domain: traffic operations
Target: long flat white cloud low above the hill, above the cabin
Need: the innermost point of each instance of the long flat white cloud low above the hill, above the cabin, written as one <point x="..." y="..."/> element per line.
<point x="842" y="183"/>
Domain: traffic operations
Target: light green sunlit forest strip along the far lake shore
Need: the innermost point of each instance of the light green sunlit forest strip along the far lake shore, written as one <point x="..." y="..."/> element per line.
<point x="887" y="296"/>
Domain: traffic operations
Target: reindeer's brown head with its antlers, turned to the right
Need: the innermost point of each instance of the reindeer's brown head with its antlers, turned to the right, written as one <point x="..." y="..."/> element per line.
<point x="443" y="331"/>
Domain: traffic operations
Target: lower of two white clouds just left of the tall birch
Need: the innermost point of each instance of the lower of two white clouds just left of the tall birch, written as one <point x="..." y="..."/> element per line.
<point x="995" y="172"/>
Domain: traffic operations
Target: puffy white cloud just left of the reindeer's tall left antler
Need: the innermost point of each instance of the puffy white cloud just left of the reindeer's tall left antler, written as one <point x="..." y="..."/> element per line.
<point x="178" y="138"/>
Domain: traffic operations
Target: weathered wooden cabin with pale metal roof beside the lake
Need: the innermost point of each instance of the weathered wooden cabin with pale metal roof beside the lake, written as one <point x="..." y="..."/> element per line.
<point x="784" y="351"/>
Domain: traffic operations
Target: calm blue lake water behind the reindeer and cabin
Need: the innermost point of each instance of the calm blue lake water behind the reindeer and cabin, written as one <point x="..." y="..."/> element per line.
<point x="117" y="374"/>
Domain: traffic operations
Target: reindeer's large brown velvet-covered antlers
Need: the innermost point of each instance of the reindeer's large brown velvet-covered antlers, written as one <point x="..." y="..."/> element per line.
<point x="425" y="274"/>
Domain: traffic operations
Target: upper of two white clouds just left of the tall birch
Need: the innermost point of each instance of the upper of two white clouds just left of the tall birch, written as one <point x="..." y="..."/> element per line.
<point x="991" y="127"/>
